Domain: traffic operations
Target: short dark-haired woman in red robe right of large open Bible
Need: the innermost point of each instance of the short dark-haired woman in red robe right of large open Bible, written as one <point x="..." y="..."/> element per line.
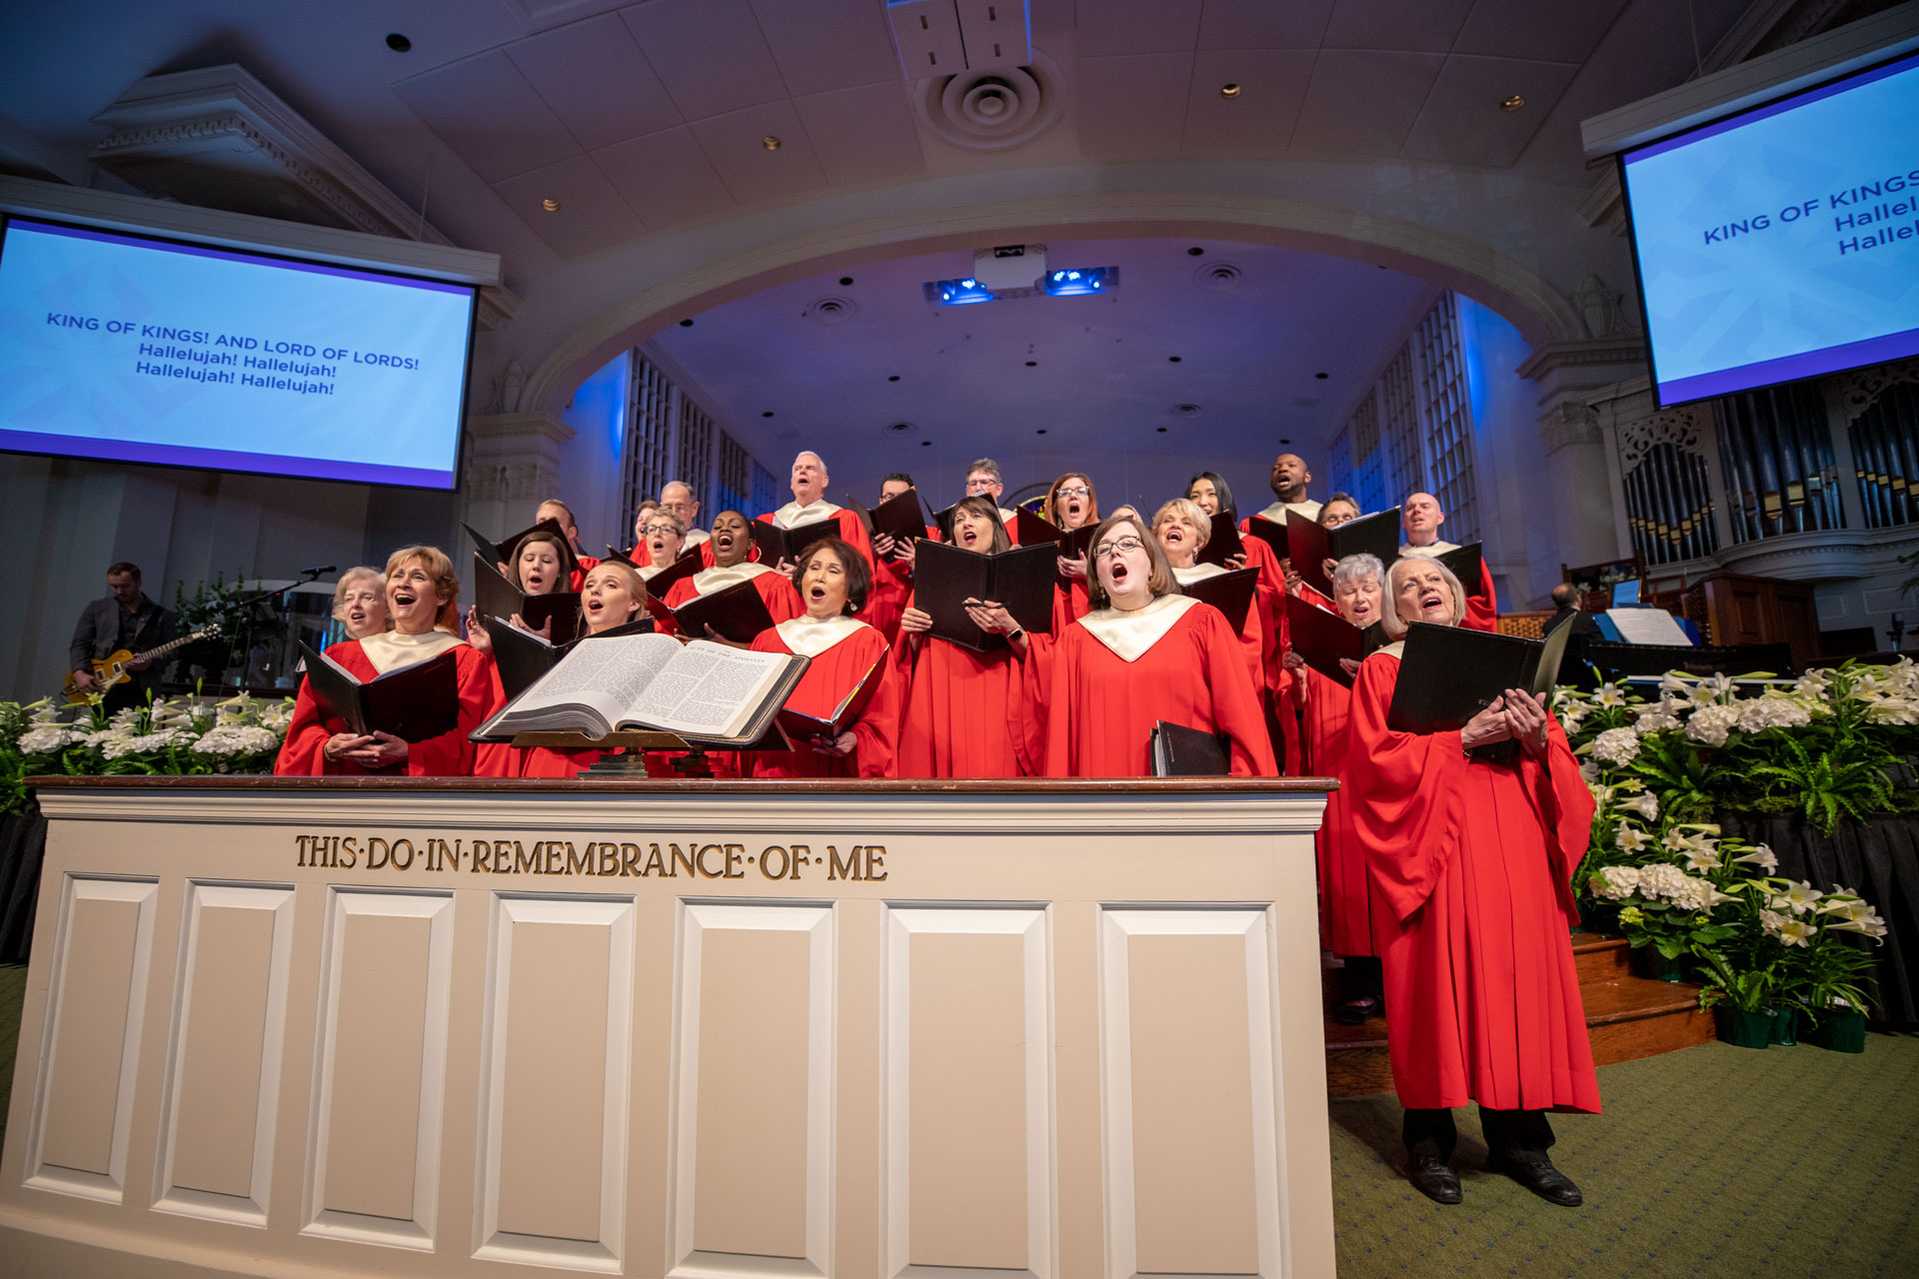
<point x="845" y="652"/>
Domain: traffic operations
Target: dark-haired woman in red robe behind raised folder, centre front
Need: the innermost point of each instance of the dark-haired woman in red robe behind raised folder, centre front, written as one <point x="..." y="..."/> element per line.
<point x="966" y="713"/>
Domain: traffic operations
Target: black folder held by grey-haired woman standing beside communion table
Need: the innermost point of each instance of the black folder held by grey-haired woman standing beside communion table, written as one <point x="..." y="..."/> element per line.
<point x="1448" y="675"/>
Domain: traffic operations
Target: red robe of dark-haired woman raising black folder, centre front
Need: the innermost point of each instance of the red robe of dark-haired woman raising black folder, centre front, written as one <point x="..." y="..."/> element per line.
<point x="968" y="715"/>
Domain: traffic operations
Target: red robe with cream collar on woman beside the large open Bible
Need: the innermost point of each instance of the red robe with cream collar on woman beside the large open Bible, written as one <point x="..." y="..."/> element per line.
<point x="843" y="652"/>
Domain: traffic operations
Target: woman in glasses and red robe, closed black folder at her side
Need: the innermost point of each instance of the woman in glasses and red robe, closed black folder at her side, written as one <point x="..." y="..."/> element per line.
<point x="1145" y="654"/>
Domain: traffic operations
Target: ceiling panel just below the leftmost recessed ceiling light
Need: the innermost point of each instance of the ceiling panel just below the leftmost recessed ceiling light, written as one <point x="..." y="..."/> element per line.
<point x="486" y="112"/>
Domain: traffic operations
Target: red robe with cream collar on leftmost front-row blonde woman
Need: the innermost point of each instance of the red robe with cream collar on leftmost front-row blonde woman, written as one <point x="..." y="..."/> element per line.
<point x="448" y="756"/>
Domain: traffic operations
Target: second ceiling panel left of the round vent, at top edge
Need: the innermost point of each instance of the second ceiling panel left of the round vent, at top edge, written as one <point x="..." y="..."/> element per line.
<point x="709" y="53"/>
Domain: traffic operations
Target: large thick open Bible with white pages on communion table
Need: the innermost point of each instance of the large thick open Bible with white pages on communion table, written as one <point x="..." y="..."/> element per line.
<point x="703" y="692"/>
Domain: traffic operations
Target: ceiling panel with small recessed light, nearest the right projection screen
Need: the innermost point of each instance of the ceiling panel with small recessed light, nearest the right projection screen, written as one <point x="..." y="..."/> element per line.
<point x="1463" y="124"/>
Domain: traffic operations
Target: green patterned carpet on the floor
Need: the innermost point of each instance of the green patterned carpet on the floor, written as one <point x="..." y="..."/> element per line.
<point x="1707" y="1163"/>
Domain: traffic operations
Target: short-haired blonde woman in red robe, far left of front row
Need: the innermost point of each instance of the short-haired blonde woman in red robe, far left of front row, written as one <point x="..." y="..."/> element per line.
<point x="423" y="604"/>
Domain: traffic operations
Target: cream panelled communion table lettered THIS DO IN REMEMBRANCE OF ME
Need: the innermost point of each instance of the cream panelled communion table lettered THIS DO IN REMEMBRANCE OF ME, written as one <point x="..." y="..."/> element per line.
<point x="673" y="1028"/>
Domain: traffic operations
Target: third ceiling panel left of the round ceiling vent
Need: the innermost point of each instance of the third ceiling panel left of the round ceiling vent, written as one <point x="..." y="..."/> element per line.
<point x="596" y="82"/>
